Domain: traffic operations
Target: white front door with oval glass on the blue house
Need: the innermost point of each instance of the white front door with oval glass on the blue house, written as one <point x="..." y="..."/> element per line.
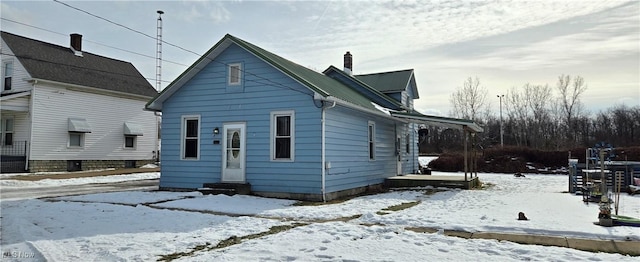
<point x="233" y="155"/>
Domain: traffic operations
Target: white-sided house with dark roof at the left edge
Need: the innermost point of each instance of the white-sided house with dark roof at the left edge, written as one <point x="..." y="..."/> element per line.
<point x="66" y="109"/>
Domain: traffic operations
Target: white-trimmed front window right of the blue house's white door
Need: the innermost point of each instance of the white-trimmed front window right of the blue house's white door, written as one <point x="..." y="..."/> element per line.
<point x="283" y="135"/>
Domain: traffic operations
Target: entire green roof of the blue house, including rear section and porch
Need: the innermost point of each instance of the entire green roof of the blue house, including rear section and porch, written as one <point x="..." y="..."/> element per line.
<point x="320" y="84"/>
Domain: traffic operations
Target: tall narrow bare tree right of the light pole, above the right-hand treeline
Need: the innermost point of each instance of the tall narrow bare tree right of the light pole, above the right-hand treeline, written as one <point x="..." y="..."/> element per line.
<point x="570" y="91"/>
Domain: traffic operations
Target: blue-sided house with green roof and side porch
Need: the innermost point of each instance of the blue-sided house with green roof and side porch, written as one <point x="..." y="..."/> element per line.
<point x="241" y="114"/>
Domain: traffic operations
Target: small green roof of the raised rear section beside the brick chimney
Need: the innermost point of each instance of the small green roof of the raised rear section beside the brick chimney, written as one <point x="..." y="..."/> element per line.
<point x="389" y="82"/>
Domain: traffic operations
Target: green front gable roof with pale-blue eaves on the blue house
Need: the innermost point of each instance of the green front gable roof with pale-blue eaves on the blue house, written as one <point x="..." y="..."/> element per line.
<point x="319" y="83"/>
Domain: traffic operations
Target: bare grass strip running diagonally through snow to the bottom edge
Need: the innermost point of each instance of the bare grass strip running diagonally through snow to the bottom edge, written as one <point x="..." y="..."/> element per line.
<point x="233" y="240"/>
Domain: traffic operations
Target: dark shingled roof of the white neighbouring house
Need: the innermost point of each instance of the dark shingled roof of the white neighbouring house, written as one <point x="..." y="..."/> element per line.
<point x="56" y="63"/>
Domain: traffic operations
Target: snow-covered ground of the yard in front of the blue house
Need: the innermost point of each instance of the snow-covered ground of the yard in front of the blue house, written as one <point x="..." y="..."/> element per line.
<point x="147" y="226"/>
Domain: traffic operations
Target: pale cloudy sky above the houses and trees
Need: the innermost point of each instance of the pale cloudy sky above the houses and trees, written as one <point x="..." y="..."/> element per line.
<point x="504" y="43"/>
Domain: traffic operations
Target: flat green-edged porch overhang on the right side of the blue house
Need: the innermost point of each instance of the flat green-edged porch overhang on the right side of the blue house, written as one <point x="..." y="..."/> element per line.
<point x="447" y="122"/>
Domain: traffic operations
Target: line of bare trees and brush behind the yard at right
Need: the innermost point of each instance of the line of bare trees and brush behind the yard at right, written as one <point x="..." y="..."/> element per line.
<point x="536" y="116"/>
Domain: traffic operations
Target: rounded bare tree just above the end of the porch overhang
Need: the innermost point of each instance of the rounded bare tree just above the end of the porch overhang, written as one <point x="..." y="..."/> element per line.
<point x="470" y="100"/>
